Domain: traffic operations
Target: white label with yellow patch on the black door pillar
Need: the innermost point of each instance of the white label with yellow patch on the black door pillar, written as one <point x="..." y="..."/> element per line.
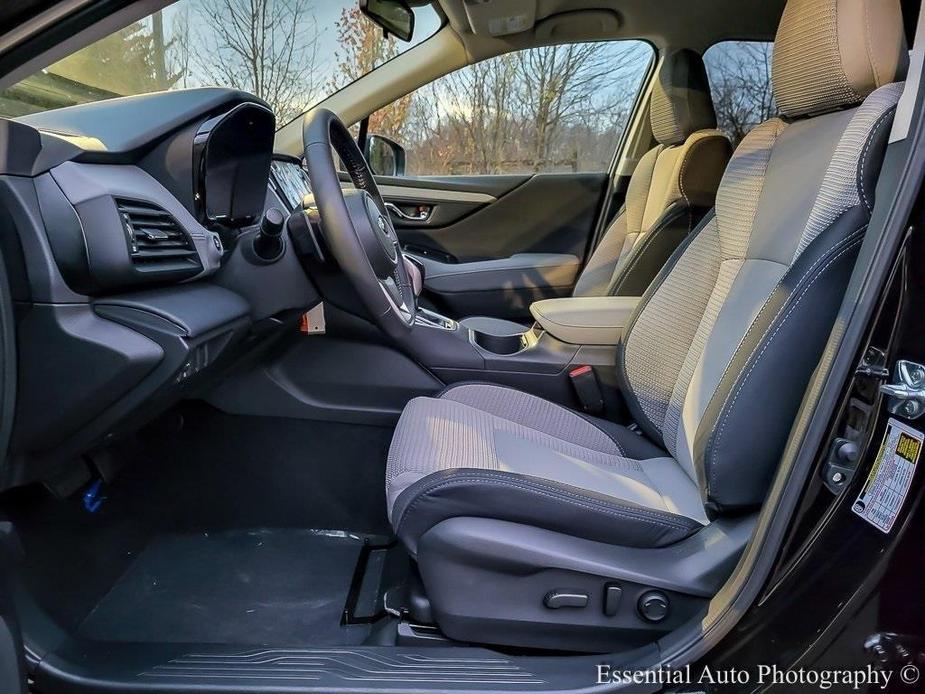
<point x="888" y="484"/>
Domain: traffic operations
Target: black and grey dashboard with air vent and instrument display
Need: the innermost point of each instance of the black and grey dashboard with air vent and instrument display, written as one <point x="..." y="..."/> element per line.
<point x="127" y="228"/>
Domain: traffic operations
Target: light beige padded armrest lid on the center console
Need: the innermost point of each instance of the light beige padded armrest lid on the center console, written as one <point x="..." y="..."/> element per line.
<point x="585" y="320"/>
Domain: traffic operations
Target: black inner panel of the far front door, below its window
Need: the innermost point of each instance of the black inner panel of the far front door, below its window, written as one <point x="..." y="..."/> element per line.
<point x="459" y="221"/>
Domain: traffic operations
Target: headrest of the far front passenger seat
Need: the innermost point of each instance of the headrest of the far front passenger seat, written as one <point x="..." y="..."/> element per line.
<point x="681" y="102"/>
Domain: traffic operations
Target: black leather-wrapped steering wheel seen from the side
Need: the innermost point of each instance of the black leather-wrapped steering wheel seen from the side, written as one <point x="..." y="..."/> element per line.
<point x="356" y="224"/>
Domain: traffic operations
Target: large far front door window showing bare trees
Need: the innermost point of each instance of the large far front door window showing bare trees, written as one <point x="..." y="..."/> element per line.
<point x="557" y="108"/>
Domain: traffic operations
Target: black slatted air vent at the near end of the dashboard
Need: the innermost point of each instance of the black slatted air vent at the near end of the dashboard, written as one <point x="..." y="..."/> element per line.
<point x="156" y="240"/>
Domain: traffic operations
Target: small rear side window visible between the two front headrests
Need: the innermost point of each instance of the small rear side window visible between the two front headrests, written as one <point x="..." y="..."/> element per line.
<point x="740" y="80"/>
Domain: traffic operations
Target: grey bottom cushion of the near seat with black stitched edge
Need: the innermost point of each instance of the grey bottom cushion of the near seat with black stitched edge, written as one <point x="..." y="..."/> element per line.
<point x="507" y="435"/>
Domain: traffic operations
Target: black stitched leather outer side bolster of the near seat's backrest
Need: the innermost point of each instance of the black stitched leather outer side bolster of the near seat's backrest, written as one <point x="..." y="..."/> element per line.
<point x="765" y="369"/>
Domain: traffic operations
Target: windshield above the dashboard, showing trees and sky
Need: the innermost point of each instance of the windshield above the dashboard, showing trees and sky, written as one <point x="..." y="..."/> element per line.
<point x="291" y="53"/>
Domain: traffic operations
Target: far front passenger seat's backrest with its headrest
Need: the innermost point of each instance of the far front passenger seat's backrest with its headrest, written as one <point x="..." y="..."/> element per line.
<point x="672" y="188"/>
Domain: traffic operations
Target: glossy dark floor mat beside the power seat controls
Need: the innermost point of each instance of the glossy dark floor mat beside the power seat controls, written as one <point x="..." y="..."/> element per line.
<point x="267" y="586"/>
